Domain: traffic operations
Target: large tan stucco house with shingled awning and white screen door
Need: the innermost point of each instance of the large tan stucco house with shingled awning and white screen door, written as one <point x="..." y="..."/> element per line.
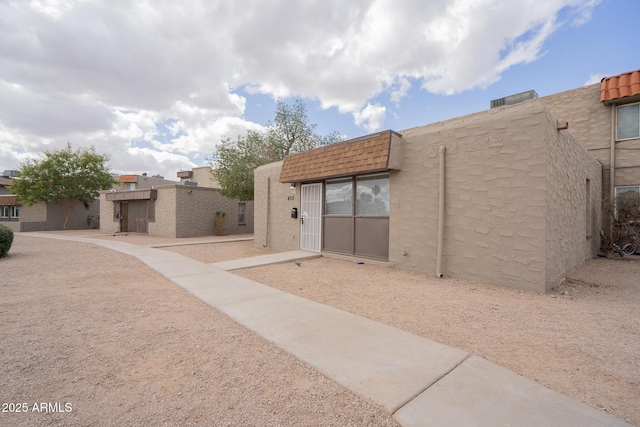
<point x="510" y="196"/>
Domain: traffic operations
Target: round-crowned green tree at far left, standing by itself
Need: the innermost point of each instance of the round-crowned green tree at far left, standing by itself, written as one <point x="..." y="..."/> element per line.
<point x="63" y="176"/>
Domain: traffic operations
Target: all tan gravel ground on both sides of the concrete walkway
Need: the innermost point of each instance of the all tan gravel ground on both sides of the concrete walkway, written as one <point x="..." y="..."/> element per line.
<point x="83" y="325"/>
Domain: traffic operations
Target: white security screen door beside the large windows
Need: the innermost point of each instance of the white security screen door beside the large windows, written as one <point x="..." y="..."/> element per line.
<point x="311" y="216"/>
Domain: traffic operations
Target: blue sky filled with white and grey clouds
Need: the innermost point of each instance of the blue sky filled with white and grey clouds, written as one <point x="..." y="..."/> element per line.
<point x="157" y="84"/>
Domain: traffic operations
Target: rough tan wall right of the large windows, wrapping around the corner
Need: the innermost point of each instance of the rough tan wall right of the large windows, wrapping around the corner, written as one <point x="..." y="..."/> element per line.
<point x="496" y="227"/>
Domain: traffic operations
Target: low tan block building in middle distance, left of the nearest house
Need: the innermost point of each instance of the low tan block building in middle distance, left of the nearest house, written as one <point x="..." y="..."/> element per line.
<point x="171" y="209"/>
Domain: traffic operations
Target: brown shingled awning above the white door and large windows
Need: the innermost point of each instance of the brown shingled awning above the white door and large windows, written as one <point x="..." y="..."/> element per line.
<point x="365" y="154"/>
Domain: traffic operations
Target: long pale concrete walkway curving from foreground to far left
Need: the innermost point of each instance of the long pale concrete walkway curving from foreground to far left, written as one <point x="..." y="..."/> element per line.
<point x="419" y="381"/>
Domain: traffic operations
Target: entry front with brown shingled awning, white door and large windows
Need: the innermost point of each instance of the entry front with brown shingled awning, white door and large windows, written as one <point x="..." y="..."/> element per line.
<point x="344" y="195"/>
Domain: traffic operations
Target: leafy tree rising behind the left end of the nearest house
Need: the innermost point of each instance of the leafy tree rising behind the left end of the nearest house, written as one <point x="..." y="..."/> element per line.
<point x="234" y="161"/>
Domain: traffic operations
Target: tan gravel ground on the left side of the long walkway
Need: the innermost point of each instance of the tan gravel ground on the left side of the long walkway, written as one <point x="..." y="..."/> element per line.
<point x="91" y="337"/>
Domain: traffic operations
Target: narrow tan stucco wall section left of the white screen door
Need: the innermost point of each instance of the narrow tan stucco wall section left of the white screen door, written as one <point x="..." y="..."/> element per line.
<point x="273" y="226"/>
